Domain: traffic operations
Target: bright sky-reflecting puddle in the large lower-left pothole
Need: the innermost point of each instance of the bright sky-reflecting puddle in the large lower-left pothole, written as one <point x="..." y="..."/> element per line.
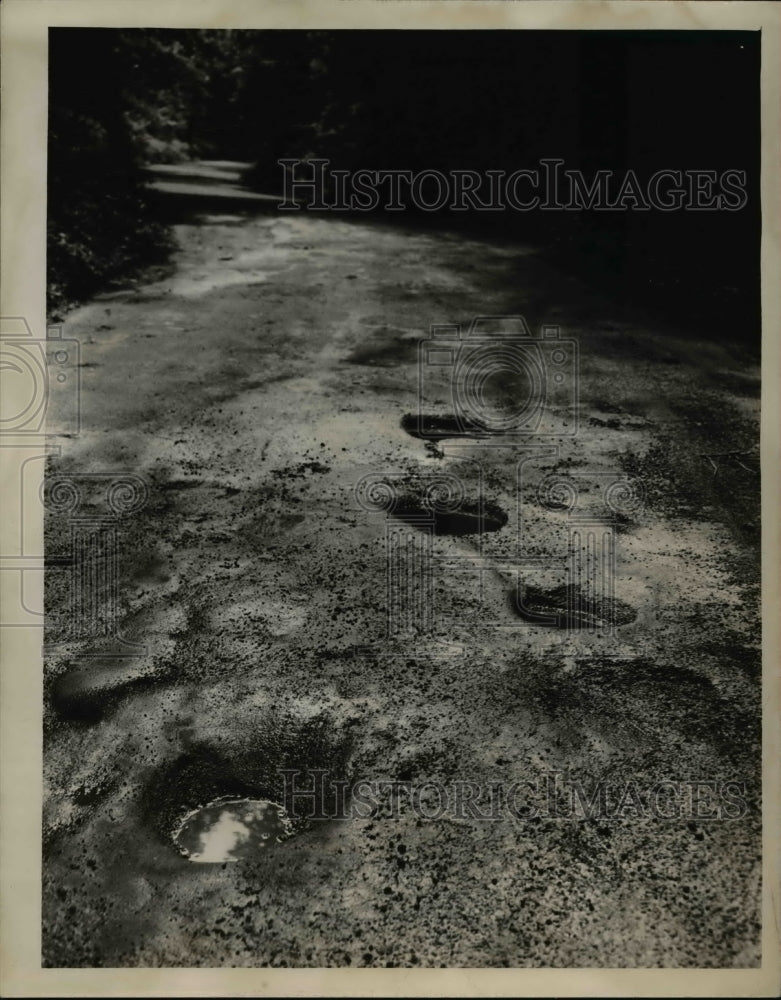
<point x="232" y="830"/>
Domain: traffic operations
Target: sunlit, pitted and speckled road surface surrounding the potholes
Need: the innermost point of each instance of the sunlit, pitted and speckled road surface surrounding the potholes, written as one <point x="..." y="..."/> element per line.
<point x="253" y="388"/>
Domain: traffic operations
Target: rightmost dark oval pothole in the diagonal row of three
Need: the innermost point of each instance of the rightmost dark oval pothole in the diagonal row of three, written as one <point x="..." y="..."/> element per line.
<point x="568" y="607"/>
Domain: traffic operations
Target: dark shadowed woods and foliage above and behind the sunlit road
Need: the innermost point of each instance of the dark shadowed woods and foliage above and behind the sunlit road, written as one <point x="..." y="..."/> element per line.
<point x="412" y="100"/>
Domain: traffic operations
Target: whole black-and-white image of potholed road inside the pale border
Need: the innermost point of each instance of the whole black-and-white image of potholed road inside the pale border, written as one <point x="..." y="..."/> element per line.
<point x="397" y="415"/>
